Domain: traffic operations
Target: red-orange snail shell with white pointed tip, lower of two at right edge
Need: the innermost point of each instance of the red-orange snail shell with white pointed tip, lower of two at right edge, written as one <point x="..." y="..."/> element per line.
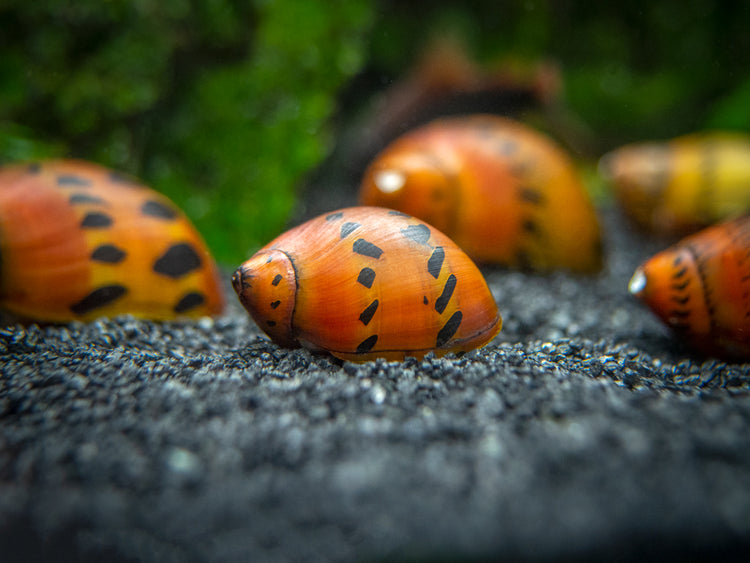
<point x="701" y="289"/>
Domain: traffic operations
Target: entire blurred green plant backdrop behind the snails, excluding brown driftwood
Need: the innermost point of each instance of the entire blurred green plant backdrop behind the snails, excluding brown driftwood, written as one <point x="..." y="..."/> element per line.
<point x="227" y="105"/>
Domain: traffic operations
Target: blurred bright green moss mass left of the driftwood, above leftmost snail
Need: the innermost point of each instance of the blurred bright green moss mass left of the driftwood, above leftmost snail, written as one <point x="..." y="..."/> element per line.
<point x="221" y="104"/>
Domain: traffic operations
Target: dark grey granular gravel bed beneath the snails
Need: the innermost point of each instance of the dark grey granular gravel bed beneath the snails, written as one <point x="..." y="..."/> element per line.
<point x="584" y="431"/>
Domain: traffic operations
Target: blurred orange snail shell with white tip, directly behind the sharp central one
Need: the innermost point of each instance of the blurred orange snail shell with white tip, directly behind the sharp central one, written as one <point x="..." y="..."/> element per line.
<point x="502" y="191"/>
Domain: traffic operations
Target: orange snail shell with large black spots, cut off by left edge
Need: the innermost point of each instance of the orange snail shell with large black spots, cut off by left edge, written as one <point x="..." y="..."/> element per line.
<point x="79" y="241"/>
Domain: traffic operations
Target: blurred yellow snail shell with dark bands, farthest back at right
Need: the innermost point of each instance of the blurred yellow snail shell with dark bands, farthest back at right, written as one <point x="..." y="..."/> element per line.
<point x="679" y="186"/>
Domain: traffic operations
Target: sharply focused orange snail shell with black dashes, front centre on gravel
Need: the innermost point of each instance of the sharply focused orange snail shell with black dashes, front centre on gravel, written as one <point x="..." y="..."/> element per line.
<point x="365" y="283"/>
